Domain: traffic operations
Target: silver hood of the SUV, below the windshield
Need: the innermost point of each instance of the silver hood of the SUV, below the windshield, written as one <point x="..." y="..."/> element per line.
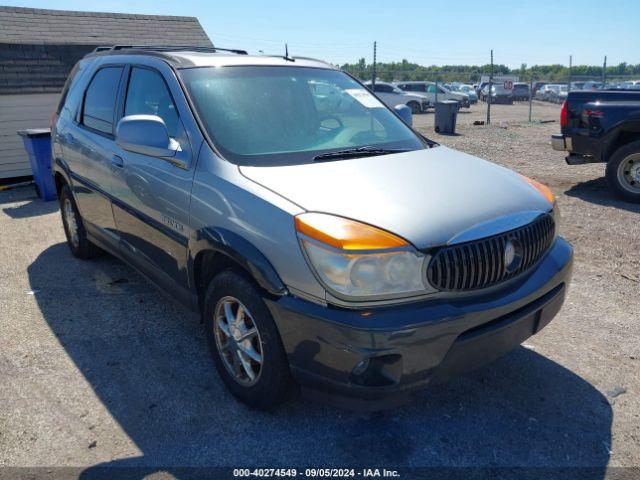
<point x="429" y="197"/>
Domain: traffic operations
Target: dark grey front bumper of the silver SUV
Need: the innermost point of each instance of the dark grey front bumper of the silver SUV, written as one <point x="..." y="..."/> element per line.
<point x="374" y="358"/>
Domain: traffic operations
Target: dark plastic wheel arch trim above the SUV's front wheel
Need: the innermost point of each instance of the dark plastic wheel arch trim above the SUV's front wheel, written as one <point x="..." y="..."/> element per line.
<point x="241" y="251"/>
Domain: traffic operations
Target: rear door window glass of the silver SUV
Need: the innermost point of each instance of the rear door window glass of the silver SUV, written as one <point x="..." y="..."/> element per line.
<point x="100" y="99"/>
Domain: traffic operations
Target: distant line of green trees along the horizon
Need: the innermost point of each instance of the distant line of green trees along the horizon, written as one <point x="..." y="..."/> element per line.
<point x="406" y="70"/>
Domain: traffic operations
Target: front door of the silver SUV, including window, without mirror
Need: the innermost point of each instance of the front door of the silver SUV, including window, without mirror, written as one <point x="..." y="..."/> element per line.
<point x="153" y="194"/>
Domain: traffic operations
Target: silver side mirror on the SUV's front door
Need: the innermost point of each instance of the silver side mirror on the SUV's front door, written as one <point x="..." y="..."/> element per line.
<point x="147" y="135"/>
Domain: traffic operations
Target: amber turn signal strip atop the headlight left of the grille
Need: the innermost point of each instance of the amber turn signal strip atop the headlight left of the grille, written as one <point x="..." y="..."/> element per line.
<point x="346" y="234"/>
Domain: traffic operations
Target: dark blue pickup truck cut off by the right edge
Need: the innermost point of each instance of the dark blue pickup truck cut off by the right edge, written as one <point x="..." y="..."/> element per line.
<point x="604" y="126"/>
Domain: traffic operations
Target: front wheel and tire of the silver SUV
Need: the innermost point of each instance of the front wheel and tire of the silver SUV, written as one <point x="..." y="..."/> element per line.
<point x="272" y="383"/>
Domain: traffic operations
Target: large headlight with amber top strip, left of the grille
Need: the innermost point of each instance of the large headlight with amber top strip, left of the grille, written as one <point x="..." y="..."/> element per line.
<point x="356" y="260"/>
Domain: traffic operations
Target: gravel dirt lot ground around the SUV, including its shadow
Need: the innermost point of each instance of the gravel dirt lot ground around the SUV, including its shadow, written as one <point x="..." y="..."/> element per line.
<point x="98" y="368"/>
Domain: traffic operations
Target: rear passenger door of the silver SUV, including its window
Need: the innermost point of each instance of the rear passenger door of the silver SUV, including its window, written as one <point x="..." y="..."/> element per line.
<point x="88" y="150"/>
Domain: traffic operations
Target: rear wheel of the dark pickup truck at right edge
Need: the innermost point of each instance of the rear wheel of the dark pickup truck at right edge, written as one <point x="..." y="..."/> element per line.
<point x="623" y="172"/>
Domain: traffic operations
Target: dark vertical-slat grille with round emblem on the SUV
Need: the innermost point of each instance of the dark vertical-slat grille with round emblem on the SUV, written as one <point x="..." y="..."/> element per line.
<point x="481" y="263"/>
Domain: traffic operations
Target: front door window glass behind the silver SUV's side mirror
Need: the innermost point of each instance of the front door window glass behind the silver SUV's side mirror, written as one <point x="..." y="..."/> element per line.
<point x="148" y="94"/>
